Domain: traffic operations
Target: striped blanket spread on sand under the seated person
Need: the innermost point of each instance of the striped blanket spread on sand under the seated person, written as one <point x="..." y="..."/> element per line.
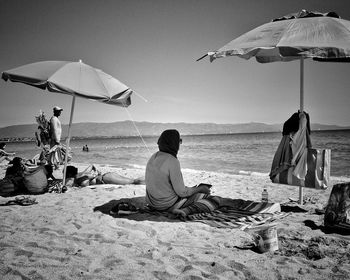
<point x="242" y="214"/>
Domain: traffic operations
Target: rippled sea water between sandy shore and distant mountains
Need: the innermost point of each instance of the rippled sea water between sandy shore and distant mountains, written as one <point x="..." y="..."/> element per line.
<point x="244" y="153"/>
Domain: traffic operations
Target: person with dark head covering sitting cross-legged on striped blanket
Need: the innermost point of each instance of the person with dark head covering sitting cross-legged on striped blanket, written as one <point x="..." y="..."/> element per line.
<point x="165" y="188"/>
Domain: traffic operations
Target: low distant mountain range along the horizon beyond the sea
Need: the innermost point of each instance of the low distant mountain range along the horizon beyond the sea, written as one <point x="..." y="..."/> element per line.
<point x="127" y="128"/>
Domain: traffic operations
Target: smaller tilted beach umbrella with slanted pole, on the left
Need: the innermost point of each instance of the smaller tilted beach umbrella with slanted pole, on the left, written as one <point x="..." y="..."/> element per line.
<point x="72" y="78"/>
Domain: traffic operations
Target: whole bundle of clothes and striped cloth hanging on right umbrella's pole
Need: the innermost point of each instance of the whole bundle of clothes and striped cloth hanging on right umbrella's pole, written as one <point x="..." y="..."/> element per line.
<point x="296" y="162"/>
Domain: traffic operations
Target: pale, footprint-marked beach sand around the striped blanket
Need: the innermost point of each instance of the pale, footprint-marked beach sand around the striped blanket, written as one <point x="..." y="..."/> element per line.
<point x="62" y="237"/>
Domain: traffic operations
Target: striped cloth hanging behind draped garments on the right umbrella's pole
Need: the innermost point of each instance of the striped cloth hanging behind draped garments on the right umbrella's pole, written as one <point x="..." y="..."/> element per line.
<point x="318" y="171"/>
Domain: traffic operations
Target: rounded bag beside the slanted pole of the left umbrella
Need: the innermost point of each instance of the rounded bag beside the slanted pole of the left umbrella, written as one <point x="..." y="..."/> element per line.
<point x="36" y="181"/>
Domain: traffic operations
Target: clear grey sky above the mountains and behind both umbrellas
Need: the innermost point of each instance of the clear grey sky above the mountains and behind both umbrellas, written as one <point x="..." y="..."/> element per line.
<point x="152" y="47"/>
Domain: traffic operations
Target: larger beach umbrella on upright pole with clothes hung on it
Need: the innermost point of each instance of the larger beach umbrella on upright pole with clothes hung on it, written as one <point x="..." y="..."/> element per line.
<point x="320" y="36"/>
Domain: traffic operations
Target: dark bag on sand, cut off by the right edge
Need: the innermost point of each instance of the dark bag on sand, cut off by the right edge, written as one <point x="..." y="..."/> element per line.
<point x="337" y="213"/>
